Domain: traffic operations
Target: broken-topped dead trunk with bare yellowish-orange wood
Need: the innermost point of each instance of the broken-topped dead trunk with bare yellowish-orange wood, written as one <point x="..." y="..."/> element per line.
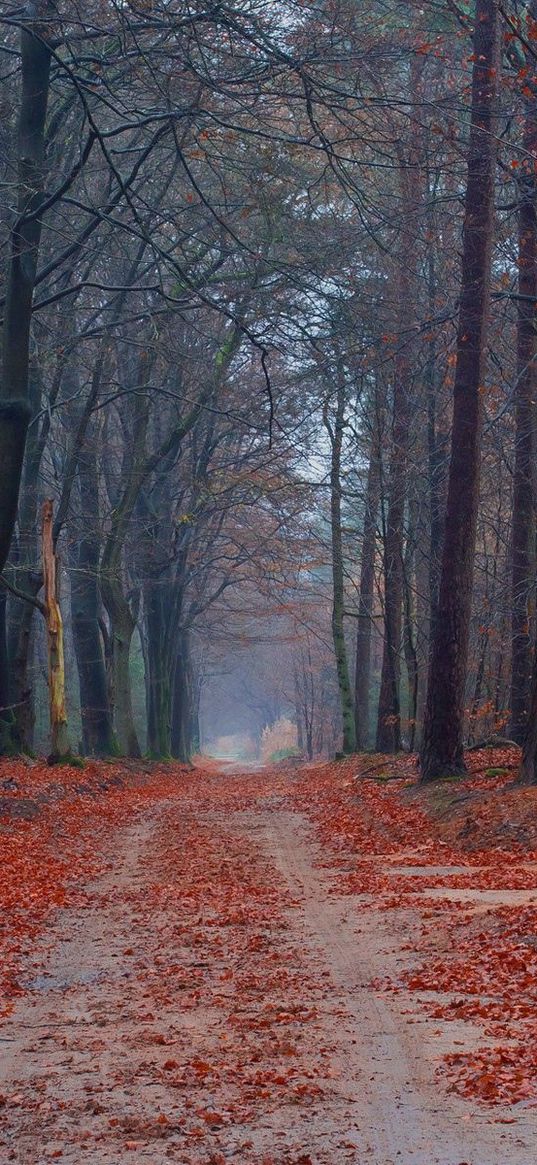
<point x="60" y="744"/>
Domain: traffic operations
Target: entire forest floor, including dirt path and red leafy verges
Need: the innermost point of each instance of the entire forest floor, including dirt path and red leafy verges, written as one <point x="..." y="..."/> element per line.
<point x="298" y="965"/>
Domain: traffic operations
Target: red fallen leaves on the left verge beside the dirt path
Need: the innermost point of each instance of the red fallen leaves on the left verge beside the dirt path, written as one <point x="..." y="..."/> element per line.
<point x="50" y="851"/>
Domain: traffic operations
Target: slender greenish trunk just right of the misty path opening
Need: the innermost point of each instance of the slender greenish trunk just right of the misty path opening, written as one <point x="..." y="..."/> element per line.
<point x="366" y="595"/>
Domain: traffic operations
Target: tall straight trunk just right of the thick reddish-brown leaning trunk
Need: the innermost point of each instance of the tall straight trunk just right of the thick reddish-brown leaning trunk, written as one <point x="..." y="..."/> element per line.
<point x="524" y="514"/>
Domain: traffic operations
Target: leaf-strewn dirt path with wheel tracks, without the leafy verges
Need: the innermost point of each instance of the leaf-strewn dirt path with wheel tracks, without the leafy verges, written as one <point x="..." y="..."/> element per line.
<point x="210" y="999"/>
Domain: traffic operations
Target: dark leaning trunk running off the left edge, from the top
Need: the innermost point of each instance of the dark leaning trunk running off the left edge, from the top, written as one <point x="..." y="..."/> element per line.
<point x="23" y="264"/>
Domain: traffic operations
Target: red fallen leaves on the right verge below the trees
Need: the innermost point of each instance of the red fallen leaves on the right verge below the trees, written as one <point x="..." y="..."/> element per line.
<point x="482" y="952"/>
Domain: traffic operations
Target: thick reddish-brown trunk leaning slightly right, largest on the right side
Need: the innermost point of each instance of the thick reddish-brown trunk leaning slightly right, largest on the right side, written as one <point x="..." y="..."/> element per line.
<point x="443" y="740"/>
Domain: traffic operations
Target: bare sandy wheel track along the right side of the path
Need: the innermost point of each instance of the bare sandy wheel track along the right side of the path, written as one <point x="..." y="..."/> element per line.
<point x="387" y="1057"/>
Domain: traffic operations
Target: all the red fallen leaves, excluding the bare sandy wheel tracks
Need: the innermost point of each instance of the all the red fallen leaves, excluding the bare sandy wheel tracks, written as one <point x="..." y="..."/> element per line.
<point x="220" y="933"/>
